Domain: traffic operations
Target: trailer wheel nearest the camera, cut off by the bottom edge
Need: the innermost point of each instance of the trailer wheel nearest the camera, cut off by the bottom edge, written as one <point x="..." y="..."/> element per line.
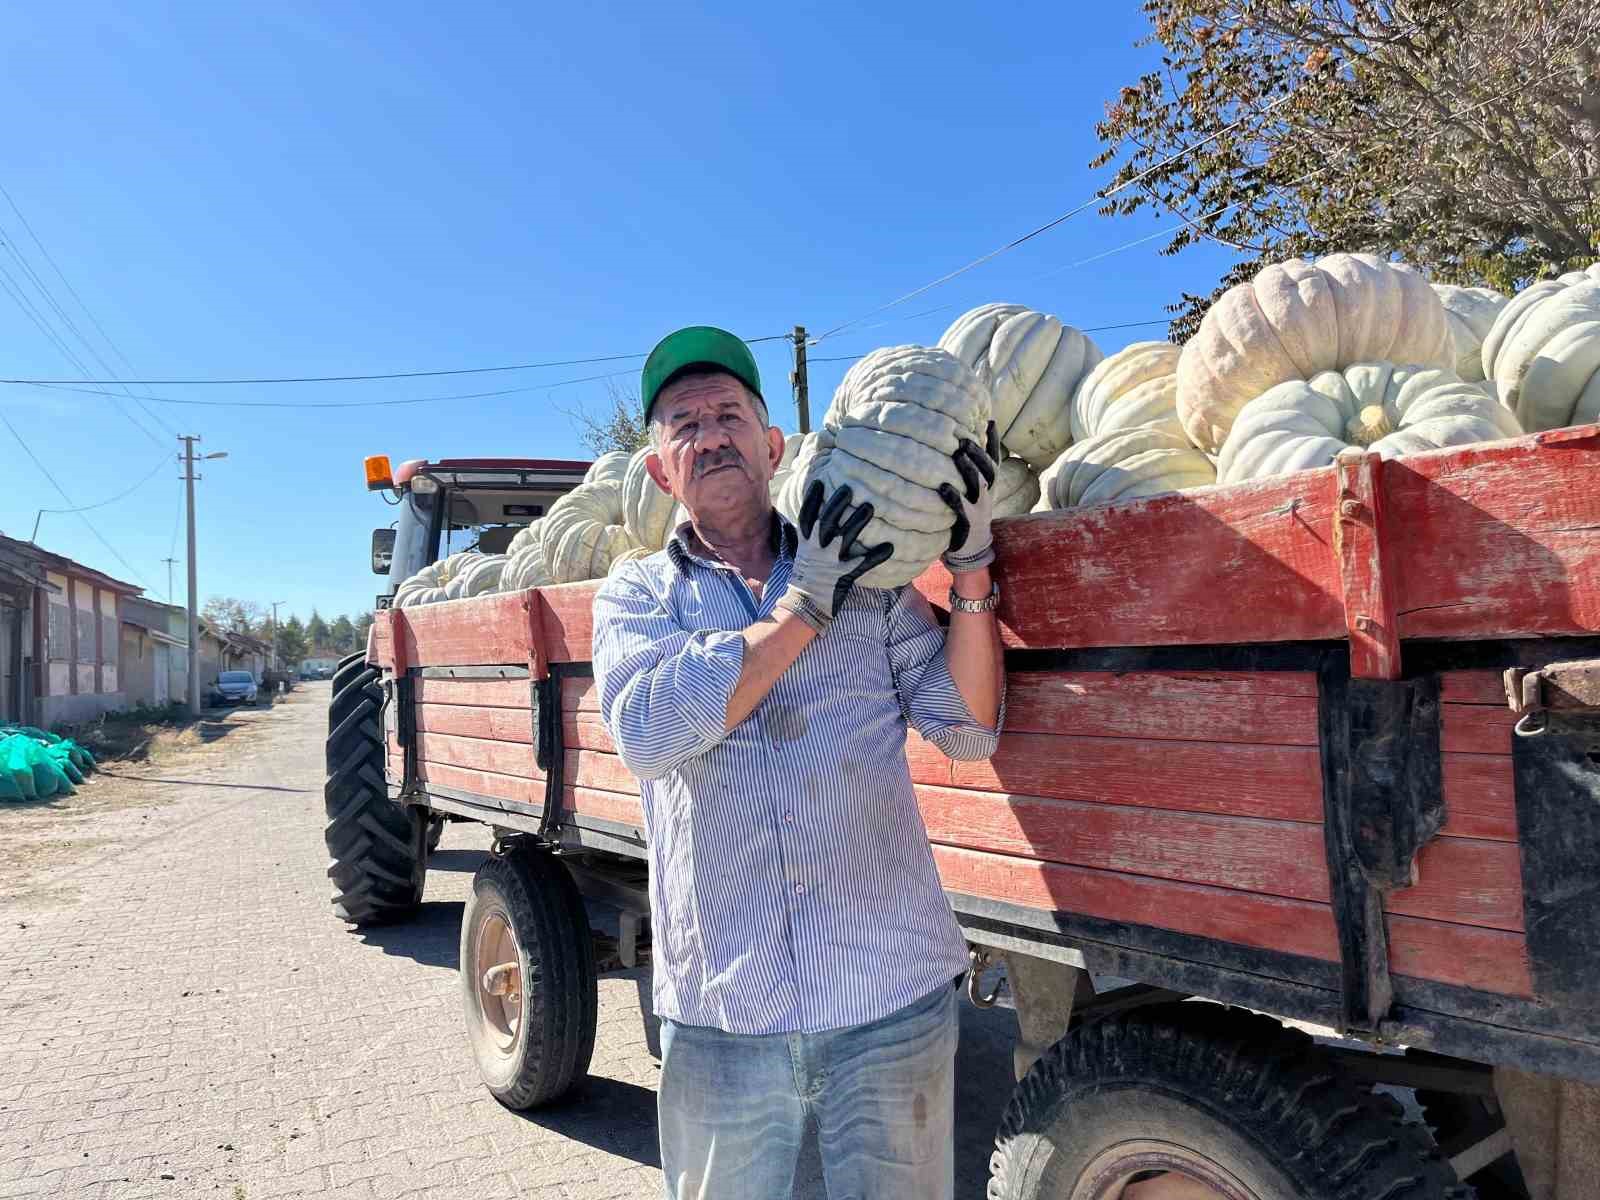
<point x="1226" y="1102"/>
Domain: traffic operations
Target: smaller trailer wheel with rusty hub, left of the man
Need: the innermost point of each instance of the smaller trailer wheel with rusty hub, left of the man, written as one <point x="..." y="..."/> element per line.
<point x="529" y="978"/>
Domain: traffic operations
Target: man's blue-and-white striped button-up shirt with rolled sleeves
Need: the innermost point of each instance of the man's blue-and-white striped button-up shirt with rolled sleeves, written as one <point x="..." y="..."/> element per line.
<point x="791" y="881"/>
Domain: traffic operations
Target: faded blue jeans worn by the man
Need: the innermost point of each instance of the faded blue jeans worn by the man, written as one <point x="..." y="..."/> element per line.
<point x="734" y="1108"/>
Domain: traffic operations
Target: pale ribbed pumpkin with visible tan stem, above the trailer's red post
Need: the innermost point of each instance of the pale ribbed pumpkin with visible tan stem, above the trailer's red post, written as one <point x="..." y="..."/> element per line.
<point x="1393" y="410"/>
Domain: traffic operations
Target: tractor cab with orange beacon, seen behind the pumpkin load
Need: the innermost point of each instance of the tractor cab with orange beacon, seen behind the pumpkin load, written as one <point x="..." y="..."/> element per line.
<point x="460" y="505"/>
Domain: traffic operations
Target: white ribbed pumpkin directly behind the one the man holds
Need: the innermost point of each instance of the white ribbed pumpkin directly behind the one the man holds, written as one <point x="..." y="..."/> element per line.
<point x="1031" y="364"/>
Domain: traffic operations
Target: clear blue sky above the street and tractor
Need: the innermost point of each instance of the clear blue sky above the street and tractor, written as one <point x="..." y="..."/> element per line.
<point x="330" y="190"/>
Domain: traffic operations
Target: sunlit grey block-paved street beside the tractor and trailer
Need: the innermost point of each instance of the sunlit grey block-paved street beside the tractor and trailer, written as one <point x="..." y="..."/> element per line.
<point x="183" y="1017"/>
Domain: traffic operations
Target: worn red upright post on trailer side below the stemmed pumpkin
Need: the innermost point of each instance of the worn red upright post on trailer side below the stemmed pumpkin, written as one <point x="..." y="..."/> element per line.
<point x="1367" y="583"/>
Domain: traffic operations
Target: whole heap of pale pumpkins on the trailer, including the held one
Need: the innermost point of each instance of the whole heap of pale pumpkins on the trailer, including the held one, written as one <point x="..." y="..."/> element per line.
<point x="1282" y="375"/>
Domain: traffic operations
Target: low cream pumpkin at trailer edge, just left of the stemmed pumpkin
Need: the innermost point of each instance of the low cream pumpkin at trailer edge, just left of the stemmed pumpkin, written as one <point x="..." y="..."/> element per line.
<point x="1124" y="465"/>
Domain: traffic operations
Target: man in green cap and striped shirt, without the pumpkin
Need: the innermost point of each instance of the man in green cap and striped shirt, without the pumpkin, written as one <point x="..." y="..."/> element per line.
<point x="804" y="951"/>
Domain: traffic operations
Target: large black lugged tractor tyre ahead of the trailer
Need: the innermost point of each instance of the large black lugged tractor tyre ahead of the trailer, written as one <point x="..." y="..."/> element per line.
<point x="375" y="846"/>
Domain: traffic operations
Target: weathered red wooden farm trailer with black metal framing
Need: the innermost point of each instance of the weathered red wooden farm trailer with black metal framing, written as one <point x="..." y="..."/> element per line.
<point x="1258" y="750"/>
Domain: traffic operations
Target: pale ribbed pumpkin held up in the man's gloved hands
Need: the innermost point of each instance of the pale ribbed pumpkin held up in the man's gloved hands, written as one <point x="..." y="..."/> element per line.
<point x="895" y="422"/>
